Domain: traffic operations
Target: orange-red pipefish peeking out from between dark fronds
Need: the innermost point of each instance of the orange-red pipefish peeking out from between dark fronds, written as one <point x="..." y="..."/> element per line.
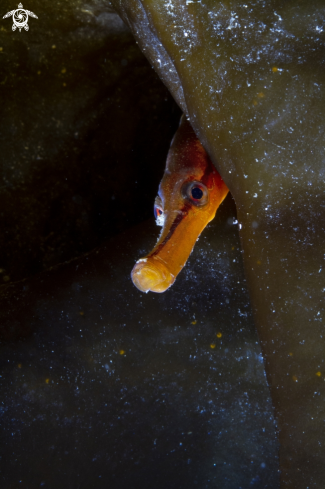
<point x="189" y="195"/>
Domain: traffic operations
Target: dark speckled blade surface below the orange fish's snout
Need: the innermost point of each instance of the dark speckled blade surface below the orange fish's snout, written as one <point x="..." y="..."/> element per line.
<point x="115" y="388"/>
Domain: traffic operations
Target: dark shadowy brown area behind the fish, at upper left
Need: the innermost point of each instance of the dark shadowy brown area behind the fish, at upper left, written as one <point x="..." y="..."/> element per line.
<point x="85" y="129"/>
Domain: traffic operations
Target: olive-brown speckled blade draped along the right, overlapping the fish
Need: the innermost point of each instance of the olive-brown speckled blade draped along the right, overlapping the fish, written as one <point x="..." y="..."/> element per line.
<point x="250" y="77"/>
